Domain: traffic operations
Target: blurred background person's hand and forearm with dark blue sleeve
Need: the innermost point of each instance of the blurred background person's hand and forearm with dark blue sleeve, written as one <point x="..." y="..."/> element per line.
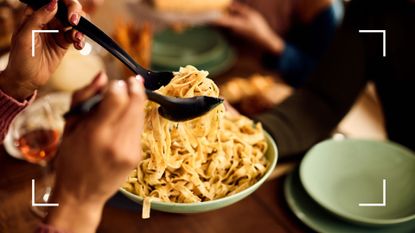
<point x="294" y="33"/>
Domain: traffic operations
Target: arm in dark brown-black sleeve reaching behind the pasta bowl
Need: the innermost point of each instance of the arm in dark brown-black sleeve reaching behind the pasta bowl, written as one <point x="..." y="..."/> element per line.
<point x="313" y="112"/>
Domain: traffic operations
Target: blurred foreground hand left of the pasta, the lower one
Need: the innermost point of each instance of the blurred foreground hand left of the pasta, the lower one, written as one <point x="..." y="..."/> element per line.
<point x="97" y="153"/>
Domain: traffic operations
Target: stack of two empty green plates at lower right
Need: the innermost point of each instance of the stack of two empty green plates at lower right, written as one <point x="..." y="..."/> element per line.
<point x="355" y="186"/>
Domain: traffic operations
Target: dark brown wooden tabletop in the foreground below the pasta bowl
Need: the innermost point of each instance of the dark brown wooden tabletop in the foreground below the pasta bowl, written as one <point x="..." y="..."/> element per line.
<point x="264" y="211"/>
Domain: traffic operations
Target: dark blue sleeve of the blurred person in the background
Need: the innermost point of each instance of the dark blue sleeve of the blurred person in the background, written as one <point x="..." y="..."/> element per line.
<point x="294" y="62"/>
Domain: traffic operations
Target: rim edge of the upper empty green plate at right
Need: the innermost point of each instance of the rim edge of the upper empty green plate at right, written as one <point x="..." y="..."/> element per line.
<point x="350" y="217"/>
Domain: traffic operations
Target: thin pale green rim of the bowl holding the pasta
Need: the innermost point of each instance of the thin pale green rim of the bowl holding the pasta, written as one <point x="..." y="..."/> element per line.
<point x="255" y="186"/>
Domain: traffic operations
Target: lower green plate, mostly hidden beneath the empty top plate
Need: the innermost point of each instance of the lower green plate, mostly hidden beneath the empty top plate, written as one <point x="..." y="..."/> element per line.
<point x="320" y="220"/>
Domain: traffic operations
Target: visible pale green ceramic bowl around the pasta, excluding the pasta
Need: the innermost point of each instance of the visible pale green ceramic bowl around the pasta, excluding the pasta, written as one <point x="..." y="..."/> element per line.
<point x="271" y="154"/>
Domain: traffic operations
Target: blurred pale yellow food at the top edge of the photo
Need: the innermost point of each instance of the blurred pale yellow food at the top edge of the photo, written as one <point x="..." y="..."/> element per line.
<point x="189" y="6"/>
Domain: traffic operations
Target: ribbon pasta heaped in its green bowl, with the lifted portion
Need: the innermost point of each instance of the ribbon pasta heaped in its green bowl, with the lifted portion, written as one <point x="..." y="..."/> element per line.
<point x="202" y="164"/>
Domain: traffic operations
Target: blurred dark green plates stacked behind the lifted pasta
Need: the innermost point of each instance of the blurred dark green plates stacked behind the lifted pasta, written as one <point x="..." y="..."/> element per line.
<point x="202" y="47"/>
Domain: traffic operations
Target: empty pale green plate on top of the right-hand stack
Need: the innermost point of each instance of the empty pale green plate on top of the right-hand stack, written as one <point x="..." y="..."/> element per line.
<point x="340" y="175"/>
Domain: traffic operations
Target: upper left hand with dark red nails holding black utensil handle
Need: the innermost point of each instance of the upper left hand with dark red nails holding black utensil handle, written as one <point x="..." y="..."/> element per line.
<point x="24" y="73"/>
